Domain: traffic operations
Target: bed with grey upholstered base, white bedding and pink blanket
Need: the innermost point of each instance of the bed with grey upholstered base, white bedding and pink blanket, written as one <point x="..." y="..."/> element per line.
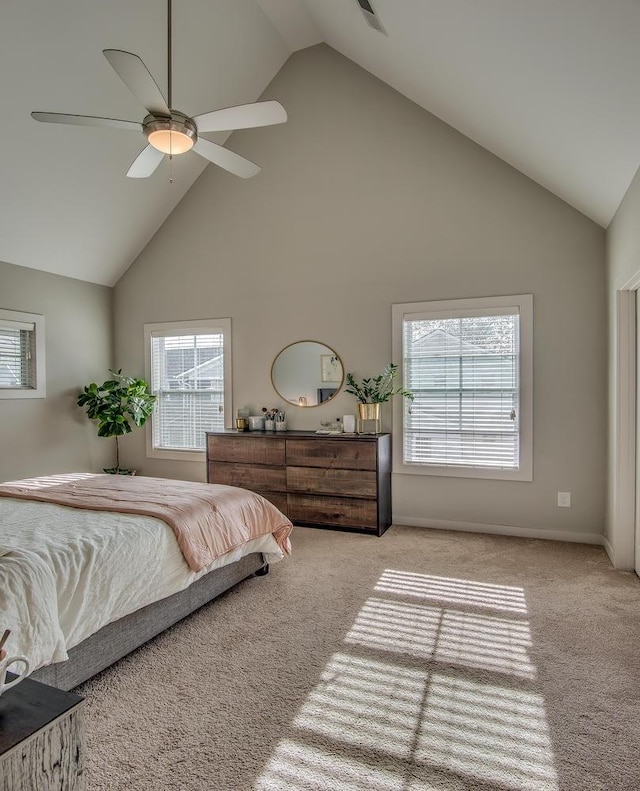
<point x="92" y="566"/>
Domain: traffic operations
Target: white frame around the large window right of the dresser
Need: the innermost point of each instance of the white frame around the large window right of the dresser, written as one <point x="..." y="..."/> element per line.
<point x="524" y="304"/>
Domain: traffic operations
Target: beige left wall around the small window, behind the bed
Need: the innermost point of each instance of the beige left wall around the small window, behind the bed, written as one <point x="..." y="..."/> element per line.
<point x="42" y="436"/>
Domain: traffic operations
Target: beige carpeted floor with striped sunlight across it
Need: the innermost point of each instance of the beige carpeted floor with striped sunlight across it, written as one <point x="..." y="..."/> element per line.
<point x="420" y="660"/>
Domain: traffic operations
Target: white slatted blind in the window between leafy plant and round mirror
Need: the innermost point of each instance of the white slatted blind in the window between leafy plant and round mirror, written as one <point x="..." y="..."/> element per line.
<point x="188" y="377"/>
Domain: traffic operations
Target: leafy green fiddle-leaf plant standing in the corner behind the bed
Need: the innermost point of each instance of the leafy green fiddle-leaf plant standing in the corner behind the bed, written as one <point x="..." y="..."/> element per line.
<point x="115" y="404"/>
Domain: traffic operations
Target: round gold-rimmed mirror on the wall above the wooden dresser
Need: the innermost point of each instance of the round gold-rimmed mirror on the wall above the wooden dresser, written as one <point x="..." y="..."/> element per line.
<point x="307" y="373"/>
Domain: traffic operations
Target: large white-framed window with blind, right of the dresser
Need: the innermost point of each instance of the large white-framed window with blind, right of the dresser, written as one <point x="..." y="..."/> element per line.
<point x="469" y="365"/>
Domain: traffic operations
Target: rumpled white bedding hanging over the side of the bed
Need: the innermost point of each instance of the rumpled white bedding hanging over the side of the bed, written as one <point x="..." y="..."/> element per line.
<point x="65" y="572"/>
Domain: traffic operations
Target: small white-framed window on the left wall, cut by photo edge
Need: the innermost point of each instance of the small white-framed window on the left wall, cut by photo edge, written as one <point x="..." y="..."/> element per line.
<point x="22" y="370"/>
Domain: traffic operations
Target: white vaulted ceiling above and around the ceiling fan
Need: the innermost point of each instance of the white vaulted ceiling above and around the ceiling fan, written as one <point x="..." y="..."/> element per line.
<point x="549" y="86"/>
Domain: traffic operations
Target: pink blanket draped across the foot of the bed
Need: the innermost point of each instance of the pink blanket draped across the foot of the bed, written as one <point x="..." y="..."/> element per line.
<point x="208" y="520"/>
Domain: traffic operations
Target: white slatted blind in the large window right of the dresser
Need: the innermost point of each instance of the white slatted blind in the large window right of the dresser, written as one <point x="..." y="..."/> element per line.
<point x="464" y="373"/>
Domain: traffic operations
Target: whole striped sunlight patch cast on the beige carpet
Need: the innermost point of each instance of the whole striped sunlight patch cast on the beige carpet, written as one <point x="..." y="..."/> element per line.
<point x="436" y="693"/>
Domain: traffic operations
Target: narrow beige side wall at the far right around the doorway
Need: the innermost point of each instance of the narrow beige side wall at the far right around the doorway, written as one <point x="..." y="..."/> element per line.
<point x="623" y="266"/>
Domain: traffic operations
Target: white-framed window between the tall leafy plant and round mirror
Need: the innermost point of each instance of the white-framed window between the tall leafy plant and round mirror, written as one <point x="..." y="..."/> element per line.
<point x="189" y="370"/>
